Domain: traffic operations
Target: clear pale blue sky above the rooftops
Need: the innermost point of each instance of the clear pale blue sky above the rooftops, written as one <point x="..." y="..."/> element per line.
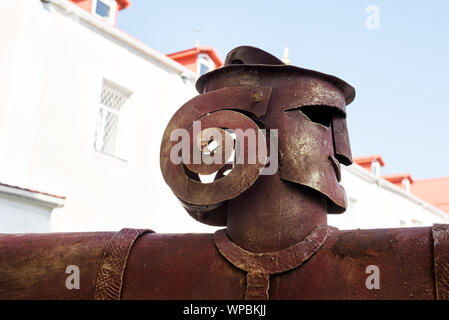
<point x="400" y="71"/>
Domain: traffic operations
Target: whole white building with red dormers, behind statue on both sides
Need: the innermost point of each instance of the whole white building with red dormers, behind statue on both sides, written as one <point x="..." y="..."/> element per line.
<point x="83" y="107"/>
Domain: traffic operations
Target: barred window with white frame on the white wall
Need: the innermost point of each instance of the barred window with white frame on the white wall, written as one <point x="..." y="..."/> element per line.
<point x="111" y="120"/>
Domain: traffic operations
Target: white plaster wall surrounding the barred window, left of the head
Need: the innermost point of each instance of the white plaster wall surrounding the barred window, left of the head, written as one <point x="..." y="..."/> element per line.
<point x="104" y="193"/>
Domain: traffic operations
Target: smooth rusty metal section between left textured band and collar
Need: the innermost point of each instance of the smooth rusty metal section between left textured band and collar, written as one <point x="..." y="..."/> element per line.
<point x="180" y="266"/>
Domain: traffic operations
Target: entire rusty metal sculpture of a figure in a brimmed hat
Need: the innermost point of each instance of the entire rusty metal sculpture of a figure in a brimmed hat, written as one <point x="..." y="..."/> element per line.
<point x="277" y="244"/>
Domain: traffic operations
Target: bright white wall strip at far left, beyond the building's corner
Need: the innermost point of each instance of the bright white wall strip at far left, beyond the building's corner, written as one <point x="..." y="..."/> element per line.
<point x="24" y="31"/>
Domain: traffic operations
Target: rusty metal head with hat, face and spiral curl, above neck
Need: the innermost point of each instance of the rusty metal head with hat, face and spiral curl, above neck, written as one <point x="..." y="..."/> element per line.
<point x="302" y="111"/>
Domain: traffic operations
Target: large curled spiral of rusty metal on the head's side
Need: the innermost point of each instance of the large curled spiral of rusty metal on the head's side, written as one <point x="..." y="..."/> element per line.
<point x="204" y="201"/>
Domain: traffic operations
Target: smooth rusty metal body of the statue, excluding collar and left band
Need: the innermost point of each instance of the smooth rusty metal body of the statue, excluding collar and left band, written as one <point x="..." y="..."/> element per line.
<point x="190" y="266"/>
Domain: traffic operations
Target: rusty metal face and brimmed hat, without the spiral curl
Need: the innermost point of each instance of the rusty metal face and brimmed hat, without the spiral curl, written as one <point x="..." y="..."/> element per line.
<point x="293" y="91"/>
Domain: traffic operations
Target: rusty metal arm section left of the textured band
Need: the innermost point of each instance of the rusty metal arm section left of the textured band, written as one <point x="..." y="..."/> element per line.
<point x="33" y="266"/>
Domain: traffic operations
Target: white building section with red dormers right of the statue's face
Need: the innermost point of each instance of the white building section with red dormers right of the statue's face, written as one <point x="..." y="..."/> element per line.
<point x="375" y="202"/>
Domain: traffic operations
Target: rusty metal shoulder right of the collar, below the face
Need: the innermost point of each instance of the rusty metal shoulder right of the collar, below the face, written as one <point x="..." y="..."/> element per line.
<point x="405" y="260"/>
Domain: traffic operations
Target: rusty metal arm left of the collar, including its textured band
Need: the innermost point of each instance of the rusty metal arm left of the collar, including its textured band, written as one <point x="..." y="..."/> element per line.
<point x="131" y="263"/>
